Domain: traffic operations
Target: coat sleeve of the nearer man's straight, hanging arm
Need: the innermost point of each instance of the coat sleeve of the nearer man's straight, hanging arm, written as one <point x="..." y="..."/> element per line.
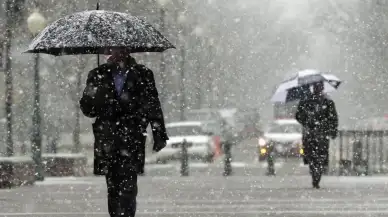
<point x="154" y="108"/>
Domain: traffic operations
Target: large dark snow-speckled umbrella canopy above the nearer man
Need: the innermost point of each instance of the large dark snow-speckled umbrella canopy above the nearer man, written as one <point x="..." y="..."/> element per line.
<point x="92" y="32"/>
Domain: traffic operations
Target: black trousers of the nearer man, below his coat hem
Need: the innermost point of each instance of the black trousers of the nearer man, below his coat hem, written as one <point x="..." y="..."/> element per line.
<point x="121" y="181"/>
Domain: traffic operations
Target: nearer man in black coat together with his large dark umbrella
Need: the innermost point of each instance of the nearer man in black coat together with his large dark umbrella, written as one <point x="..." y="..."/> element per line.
<point x="121" y="95"/>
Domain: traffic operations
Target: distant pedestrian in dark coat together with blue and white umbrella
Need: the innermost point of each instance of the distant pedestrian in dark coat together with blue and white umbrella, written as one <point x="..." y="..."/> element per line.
<point x="315" y="112"/>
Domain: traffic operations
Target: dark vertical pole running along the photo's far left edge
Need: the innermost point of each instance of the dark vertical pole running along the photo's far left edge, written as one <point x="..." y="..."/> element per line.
<point x="9" y="10"/>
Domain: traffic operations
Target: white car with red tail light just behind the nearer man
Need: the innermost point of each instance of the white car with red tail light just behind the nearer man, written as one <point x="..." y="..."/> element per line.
<point x="203" y="139"/>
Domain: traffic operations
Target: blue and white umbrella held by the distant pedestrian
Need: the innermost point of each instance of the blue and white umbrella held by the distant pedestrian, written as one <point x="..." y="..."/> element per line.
<point x="296" y="87"/>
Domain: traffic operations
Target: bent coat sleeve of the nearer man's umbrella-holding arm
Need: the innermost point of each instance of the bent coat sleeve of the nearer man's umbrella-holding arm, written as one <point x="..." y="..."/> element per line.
<point x="89" y="102"/>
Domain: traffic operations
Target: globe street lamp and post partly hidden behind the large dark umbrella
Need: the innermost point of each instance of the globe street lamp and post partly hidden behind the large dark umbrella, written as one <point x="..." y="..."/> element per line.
<point x="36" y="23"/>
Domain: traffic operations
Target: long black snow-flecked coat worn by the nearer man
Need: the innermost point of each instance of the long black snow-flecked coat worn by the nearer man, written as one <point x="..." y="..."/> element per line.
<point x="122" y="119"/>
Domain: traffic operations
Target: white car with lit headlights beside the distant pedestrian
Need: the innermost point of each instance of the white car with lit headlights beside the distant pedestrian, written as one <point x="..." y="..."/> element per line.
<point x="283" y="138"/>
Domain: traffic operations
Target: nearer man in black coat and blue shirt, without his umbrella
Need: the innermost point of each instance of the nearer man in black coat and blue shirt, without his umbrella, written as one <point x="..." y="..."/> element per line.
<point x="123" y="98"/>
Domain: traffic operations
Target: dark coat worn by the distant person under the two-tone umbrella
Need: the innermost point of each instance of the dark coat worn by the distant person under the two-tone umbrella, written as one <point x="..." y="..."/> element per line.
<point x="319" y="119"/>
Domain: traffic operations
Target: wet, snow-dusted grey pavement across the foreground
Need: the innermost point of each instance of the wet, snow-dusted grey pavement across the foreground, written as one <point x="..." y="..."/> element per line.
<point x="195" y="196"/>
